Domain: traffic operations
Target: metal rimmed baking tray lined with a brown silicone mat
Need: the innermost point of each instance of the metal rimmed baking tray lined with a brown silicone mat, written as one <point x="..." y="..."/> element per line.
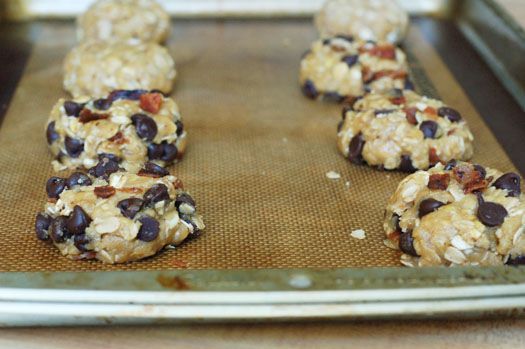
<point x="277" y="244"/>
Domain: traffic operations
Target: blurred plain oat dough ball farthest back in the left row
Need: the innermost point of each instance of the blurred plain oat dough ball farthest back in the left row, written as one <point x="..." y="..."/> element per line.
<point x="130" y="21"/>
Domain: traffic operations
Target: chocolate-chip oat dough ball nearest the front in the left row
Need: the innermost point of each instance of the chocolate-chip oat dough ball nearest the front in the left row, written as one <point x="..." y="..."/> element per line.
<point x="117" y="217"/>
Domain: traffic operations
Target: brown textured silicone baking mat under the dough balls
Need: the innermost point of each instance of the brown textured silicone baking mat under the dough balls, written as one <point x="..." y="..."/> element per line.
<point x="257" y="157"/>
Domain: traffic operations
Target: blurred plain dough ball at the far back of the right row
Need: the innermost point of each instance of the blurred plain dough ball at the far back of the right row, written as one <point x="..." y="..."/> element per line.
<point x="379" y="20"/>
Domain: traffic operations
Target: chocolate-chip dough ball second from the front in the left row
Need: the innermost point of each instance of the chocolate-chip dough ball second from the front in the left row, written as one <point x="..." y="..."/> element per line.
<point x="135" y="126"/>
